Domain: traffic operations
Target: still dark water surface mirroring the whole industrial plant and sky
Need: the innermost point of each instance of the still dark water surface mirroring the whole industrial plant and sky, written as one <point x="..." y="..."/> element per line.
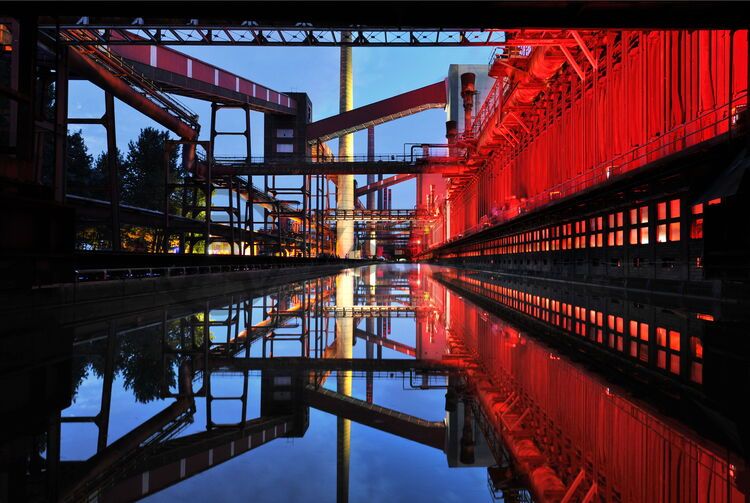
<point x="417" y="371"/>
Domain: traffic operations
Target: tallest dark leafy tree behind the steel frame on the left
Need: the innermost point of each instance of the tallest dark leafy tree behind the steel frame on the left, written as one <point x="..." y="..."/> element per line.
<point x="143" y="170"/>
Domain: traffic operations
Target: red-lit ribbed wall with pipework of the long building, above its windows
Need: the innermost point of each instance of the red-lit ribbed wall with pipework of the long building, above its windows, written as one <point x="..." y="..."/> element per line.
<point x="565" y="117"/>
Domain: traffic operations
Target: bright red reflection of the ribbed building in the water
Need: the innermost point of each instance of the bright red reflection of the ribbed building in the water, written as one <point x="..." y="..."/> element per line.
<point x="561" y="423"/>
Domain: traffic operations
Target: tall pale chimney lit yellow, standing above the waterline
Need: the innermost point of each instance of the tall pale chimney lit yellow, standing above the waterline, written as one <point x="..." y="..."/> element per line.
<point x="345" y="186"/>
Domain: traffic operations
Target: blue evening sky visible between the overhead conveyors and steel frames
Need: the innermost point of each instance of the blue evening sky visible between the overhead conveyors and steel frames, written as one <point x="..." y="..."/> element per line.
<point x="378" y="73"/>
